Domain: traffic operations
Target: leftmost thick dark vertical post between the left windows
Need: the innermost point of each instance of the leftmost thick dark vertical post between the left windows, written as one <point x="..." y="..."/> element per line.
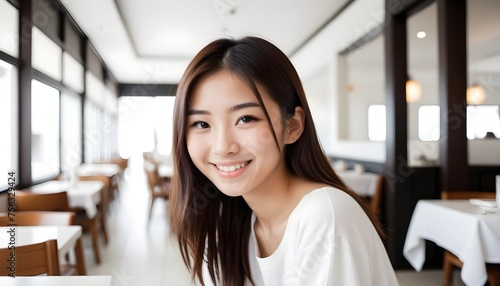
<point x="25" y="77"/>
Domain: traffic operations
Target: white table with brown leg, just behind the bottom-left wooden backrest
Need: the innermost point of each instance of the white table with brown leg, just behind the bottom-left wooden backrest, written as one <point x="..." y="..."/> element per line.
<point x="68" y="239"/>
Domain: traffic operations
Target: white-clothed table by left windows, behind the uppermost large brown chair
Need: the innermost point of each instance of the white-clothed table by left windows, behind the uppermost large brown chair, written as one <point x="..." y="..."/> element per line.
<point x="83" y="194"/>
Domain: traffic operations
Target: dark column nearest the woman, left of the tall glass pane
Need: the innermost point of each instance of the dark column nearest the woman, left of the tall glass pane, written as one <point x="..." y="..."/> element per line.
<point x="397" y="173"/>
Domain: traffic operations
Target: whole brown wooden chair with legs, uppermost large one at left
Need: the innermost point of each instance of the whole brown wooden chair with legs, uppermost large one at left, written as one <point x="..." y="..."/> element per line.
<point x="27" y="201"/>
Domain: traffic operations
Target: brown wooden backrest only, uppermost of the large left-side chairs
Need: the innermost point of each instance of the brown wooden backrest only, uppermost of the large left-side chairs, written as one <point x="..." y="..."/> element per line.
<point x="28" y="201"/>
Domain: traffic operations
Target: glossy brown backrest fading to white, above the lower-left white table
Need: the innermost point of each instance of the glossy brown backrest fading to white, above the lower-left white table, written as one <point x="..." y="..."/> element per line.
<point x="29" y="218"/>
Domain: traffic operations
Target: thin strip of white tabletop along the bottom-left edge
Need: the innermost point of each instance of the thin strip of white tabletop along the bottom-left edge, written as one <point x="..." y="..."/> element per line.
<point x="104" y="280"/>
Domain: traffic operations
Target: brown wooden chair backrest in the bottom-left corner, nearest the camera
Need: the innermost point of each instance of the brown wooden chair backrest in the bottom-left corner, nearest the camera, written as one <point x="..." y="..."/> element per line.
<point x="30" y="260"/>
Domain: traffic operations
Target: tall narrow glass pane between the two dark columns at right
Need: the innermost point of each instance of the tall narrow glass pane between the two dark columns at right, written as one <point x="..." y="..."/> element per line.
<point x="423" y="70"/>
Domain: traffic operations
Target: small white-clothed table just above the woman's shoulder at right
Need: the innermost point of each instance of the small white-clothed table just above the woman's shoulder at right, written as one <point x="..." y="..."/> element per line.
<point x="364" y="184"/>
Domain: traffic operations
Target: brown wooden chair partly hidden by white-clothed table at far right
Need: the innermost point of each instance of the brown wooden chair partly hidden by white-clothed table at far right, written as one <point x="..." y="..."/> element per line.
<point x="450" y="261"/>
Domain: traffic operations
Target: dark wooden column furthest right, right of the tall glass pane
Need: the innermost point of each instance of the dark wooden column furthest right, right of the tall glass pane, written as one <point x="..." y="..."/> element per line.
<point x="452" y="91"/>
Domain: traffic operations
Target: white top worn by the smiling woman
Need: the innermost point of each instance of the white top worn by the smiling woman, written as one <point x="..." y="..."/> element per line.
<point x="328" y="240"/>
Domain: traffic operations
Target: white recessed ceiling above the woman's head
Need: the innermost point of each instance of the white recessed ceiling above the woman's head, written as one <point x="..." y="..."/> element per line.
<point x="152" y="41"/>
